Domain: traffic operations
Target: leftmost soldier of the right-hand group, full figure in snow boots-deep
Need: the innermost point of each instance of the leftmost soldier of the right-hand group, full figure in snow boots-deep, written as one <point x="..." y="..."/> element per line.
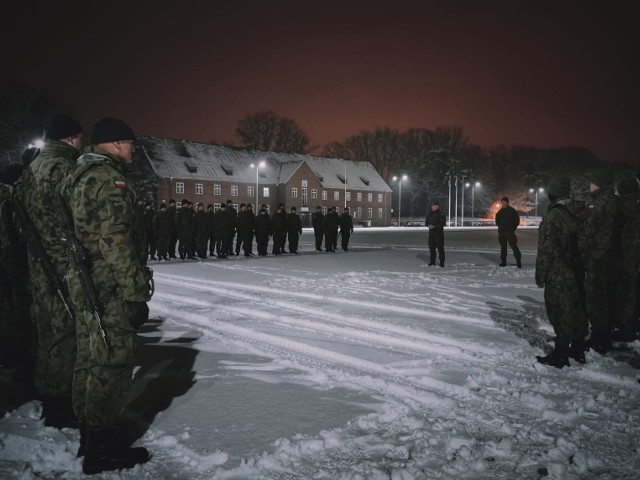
<point x="559" y="272"/>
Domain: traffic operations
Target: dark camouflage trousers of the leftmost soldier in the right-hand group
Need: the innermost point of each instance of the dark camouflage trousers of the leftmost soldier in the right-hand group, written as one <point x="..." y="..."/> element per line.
<point x="565" y="311"/>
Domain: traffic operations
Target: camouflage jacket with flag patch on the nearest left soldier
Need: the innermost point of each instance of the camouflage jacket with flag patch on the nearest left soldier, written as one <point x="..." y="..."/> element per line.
<point x="102" y="205"/>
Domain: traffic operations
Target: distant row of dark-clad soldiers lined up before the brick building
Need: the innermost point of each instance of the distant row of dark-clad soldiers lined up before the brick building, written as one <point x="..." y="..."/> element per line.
<point x="200" y="233"/>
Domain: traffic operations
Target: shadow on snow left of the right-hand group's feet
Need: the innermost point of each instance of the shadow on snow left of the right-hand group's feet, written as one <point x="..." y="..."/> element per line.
<point x="523" y="323"/>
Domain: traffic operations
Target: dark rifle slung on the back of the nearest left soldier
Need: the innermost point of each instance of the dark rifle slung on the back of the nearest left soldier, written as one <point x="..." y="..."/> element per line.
<point x="80" y="263"/>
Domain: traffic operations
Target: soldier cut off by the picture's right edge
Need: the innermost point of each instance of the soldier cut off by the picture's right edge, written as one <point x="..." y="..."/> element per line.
<point x="629" y="193"/>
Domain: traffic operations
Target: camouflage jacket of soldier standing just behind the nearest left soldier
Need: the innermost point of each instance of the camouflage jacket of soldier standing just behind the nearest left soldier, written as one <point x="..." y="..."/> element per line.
<point x="41" y="182"/>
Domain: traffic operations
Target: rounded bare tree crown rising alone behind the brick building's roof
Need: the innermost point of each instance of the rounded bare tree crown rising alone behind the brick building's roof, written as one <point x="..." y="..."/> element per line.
<point x="268" y="131"/>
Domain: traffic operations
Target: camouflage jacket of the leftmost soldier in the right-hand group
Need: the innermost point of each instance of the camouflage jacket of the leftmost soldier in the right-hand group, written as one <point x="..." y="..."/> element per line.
<point x="557" y="244"/>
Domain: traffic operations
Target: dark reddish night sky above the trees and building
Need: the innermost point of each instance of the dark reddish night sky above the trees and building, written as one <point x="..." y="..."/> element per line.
<point x="543" y="73"/>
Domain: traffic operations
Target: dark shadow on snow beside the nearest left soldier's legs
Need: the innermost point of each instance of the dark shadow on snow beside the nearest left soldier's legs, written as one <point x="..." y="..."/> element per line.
<point x="165" y="372"/>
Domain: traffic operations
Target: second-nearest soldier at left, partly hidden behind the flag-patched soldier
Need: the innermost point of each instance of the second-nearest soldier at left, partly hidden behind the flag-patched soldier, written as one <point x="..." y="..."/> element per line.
<point x="55" y="326"/>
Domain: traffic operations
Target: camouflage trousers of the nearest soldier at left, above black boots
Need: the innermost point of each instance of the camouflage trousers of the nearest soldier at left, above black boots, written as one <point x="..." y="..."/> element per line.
<point x="102" y="377"/>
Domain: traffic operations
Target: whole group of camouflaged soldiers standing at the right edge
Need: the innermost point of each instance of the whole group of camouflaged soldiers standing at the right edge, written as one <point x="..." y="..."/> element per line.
<point x="588" y="261"/>
